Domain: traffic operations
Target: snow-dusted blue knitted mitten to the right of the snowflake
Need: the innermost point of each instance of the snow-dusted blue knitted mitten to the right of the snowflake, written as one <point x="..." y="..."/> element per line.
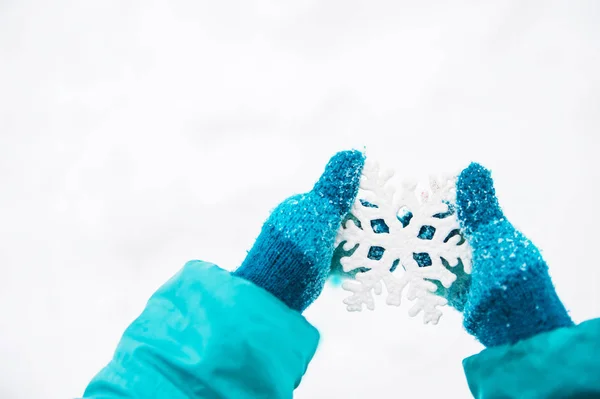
<point x="511" y="296"/>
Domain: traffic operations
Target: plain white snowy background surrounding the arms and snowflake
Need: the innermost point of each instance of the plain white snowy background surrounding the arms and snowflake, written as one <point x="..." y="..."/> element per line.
<point x="136" y="135"/>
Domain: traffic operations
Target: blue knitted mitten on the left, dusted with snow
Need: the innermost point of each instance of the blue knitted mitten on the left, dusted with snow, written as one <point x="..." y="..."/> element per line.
<point x="291" y="258"/>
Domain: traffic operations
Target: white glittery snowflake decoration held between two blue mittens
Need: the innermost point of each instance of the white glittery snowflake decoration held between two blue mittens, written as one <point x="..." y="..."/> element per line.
<point x="380" y="209"/>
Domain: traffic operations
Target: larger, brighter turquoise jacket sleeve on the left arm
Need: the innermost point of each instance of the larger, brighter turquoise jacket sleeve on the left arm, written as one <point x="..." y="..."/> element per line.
<point x="208" y="334"/>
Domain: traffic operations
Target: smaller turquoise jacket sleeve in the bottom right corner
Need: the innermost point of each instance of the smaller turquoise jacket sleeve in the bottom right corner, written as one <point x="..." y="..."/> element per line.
<point x="564" y="363"/>
